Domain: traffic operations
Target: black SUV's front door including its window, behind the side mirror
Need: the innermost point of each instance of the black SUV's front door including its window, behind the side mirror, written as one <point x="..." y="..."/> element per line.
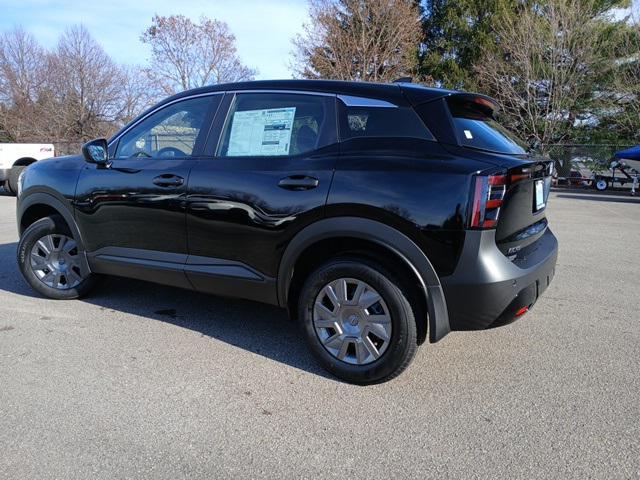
<point x="132" y="213"/>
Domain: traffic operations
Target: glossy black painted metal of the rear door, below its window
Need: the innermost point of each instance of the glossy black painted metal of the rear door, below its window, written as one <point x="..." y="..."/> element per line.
<point x="237" y="211"/>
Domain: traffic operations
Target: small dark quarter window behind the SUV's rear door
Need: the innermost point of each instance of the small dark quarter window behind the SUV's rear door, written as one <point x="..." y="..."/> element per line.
<point x="379" y="119"/>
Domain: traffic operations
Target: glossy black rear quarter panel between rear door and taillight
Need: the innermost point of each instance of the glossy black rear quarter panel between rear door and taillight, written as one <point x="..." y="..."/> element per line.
<point x="415" y="186"/>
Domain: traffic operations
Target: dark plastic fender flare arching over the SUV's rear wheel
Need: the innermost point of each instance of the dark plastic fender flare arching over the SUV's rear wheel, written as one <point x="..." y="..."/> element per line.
<point x="384" y="235"/>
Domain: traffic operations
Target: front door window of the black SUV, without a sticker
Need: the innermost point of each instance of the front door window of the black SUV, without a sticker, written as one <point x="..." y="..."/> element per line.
<point x="170" y="132"/>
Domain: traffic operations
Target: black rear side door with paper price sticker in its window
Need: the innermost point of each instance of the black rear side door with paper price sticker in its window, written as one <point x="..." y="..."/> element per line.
<point x="266" y="175"/>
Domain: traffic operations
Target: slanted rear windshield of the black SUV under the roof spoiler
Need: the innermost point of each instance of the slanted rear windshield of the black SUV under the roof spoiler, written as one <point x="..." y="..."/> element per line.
<point x="476" y="128"/>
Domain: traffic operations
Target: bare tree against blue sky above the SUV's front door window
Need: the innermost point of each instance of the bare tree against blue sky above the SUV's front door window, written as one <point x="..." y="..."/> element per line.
<point x="187" y="55"/>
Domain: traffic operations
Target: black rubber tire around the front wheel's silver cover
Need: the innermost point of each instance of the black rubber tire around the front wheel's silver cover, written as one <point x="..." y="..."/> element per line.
<point x="43" y="227"/>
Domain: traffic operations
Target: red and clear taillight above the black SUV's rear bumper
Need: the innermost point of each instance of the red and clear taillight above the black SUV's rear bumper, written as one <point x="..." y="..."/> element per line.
<point x="488" y="195"/>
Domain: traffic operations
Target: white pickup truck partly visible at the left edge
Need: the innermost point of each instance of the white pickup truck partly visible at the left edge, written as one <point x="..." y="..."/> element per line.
<point x="15" y="157"/>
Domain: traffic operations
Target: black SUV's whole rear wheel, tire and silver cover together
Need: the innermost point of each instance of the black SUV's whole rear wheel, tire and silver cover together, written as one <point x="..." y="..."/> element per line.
<point x="394" y="356"/>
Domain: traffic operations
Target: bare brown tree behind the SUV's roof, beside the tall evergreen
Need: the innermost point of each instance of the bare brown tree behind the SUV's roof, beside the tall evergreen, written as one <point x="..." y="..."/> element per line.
<point x="376" y="40"/>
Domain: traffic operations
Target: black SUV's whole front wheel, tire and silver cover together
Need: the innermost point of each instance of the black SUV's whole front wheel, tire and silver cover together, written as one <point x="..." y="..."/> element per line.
<point x="70" y="278"/>
